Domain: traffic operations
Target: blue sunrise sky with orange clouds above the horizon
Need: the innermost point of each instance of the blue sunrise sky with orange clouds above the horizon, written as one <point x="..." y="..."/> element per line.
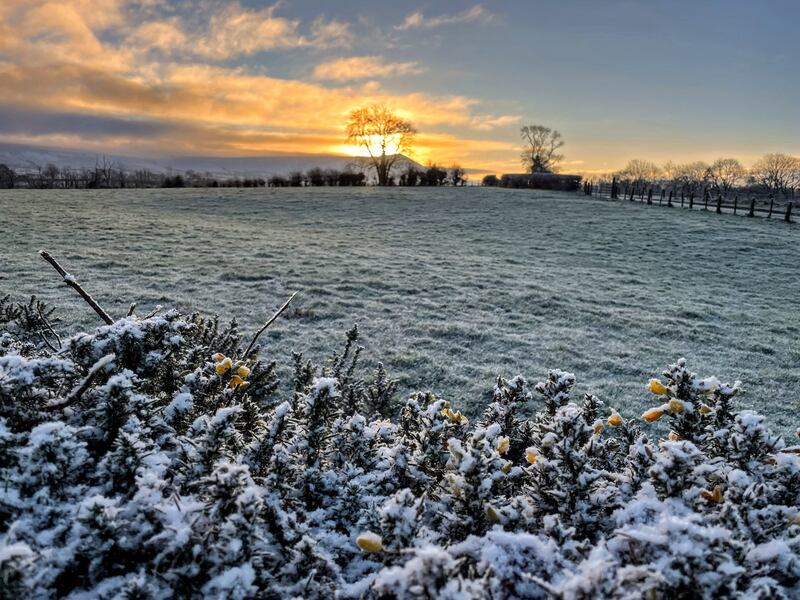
<point x="620" y="79"/>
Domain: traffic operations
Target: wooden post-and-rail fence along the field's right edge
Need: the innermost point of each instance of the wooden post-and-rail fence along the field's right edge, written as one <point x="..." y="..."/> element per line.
<point x="702" y="199"/>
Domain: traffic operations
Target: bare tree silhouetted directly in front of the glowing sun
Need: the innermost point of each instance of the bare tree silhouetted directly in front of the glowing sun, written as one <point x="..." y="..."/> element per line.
<point x="383" y="134"/>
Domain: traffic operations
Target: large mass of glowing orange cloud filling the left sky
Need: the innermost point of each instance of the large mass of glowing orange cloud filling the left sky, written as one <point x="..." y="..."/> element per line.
<point x="64" y="57"/>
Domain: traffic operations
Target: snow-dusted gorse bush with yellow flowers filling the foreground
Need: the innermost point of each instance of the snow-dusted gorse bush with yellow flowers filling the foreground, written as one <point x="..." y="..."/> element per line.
<point x="151" y="459"/>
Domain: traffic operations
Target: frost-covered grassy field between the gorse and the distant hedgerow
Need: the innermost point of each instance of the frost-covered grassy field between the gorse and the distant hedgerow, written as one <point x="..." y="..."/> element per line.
<point x="449" y="287"/>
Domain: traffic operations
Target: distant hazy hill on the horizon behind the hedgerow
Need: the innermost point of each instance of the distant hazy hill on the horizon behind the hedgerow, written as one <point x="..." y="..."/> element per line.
<point x="22" y="157"/>
